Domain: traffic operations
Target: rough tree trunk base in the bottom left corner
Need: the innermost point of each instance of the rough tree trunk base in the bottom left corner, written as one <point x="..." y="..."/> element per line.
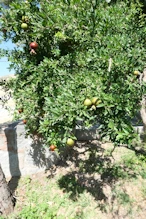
<point x="6" y="197"/>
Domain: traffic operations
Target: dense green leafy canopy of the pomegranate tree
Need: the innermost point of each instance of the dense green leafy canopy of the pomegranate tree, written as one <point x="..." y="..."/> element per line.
<point x="76" y="39"/>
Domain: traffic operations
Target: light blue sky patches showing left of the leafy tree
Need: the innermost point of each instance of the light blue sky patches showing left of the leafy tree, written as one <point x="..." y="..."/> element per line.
<point x="4" y="64"/>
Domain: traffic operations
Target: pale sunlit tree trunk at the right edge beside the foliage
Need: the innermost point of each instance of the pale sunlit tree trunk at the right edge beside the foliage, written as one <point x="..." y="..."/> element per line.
<point x="143" y="103"/>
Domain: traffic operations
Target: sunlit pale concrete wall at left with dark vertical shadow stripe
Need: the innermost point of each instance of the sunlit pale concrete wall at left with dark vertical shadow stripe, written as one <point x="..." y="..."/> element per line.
<point x="21" y="155"/>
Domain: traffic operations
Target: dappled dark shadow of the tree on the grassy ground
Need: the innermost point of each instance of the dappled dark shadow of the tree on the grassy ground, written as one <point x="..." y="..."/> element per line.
<point x="93" y="172"/>
